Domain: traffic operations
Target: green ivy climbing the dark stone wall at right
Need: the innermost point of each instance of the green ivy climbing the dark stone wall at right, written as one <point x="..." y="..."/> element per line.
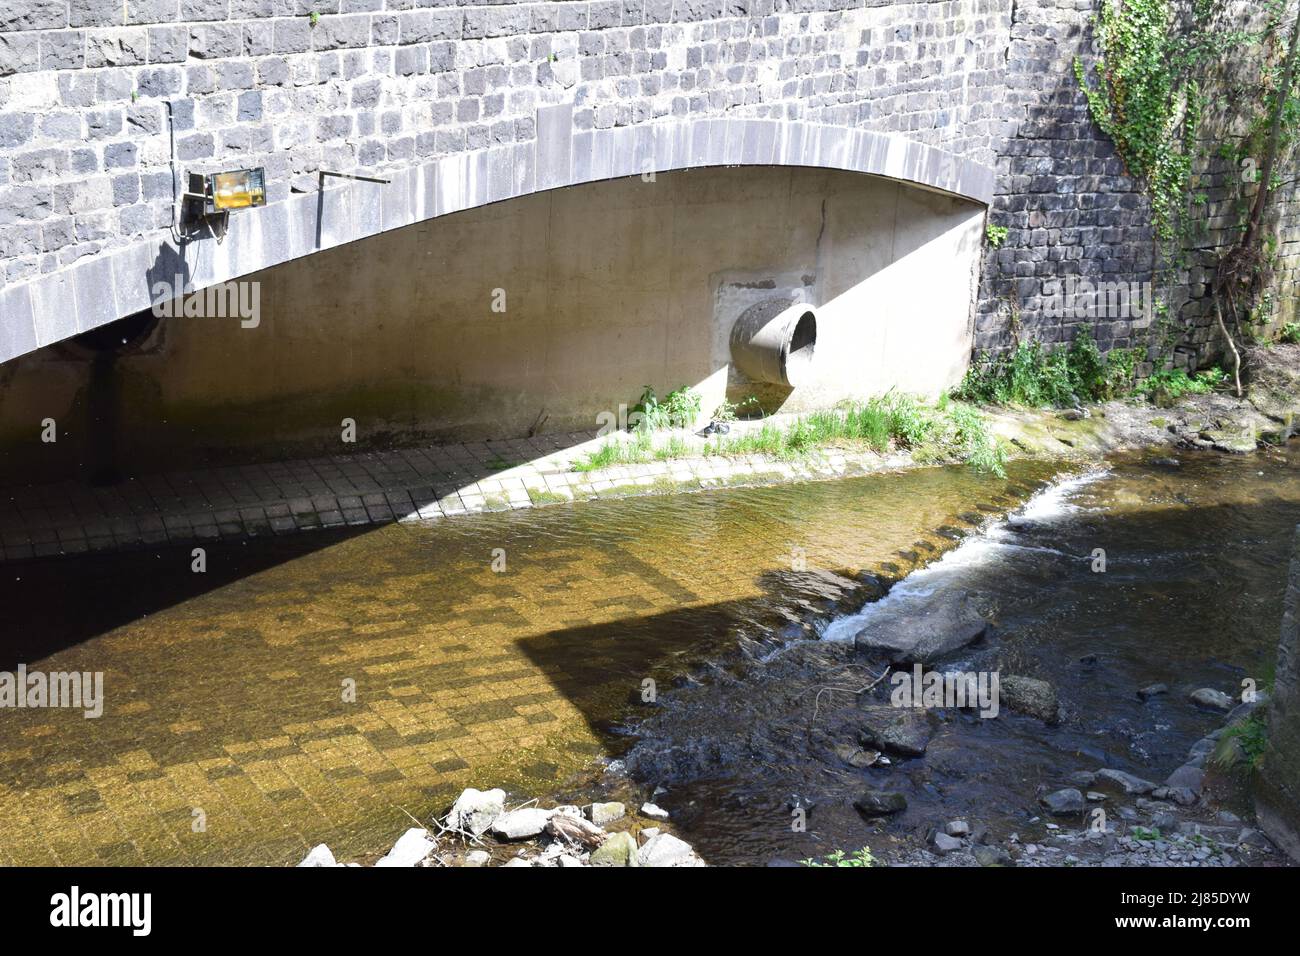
<point x="1147" y="86"/>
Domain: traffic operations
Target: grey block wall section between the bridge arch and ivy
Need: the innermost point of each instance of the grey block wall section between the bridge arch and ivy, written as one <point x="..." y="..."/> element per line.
<point x="1071" y="210"/>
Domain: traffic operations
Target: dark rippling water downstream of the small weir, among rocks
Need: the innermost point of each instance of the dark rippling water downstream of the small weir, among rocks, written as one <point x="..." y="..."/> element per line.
<point x="1191" y="596"/>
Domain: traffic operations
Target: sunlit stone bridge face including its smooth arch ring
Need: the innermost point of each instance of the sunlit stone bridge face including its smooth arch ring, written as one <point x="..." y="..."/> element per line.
<point x="107" y="109"/>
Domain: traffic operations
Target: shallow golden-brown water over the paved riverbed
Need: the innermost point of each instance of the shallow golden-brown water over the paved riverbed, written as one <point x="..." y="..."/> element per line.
<point x="226" y="691"/>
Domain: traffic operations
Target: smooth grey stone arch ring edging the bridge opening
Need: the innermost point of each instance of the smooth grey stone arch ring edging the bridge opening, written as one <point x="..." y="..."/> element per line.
<point x="109" y="287"/>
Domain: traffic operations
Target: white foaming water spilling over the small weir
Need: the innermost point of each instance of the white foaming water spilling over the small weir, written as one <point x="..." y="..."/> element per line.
<point x="1052" y="504"/>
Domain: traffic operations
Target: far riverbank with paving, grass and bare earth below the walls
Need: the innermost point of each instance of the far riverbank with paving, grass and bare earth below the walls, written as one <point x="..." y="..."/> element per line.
<point x="426" y="485"/>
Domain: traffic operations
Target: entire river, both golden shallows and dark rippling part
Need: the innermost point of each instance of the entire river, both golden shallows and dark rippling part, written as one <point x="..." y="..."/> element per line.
<point x="324" y="687"/>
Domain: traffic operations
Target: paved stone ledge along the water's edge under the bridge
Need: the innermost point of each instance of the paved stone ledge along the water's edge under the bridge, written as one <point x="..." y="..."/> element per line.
<point x="366" y="488"/>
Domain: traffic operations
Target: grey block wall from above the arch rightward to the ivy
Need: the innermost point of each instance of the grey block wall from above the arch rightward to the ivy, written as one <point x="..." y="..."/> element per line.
<point x="98" y="97"/>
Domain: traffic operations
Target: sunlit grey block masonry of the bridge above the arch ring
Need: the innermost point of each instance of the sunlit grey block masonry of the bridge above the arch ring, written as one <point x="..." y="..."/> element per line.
<point x="93" y="93"/>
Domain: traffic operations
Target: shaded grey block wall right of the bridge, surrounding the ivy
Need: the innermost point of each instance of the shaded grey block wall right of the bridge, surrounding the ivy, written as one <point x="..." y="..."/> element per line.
<point x="1074" y="215"/>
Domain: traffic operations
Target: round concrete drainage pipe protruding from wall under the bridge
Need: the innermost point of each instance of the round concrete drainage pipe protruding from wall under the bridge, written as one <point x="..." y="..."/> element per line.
<point x="773" y="341"/>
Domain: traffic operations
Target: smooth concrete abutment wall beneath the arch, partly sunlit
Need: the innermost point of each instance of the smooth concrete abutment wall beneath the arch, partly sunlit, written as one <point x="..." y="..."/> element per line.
<point x="536" y="313"/>
